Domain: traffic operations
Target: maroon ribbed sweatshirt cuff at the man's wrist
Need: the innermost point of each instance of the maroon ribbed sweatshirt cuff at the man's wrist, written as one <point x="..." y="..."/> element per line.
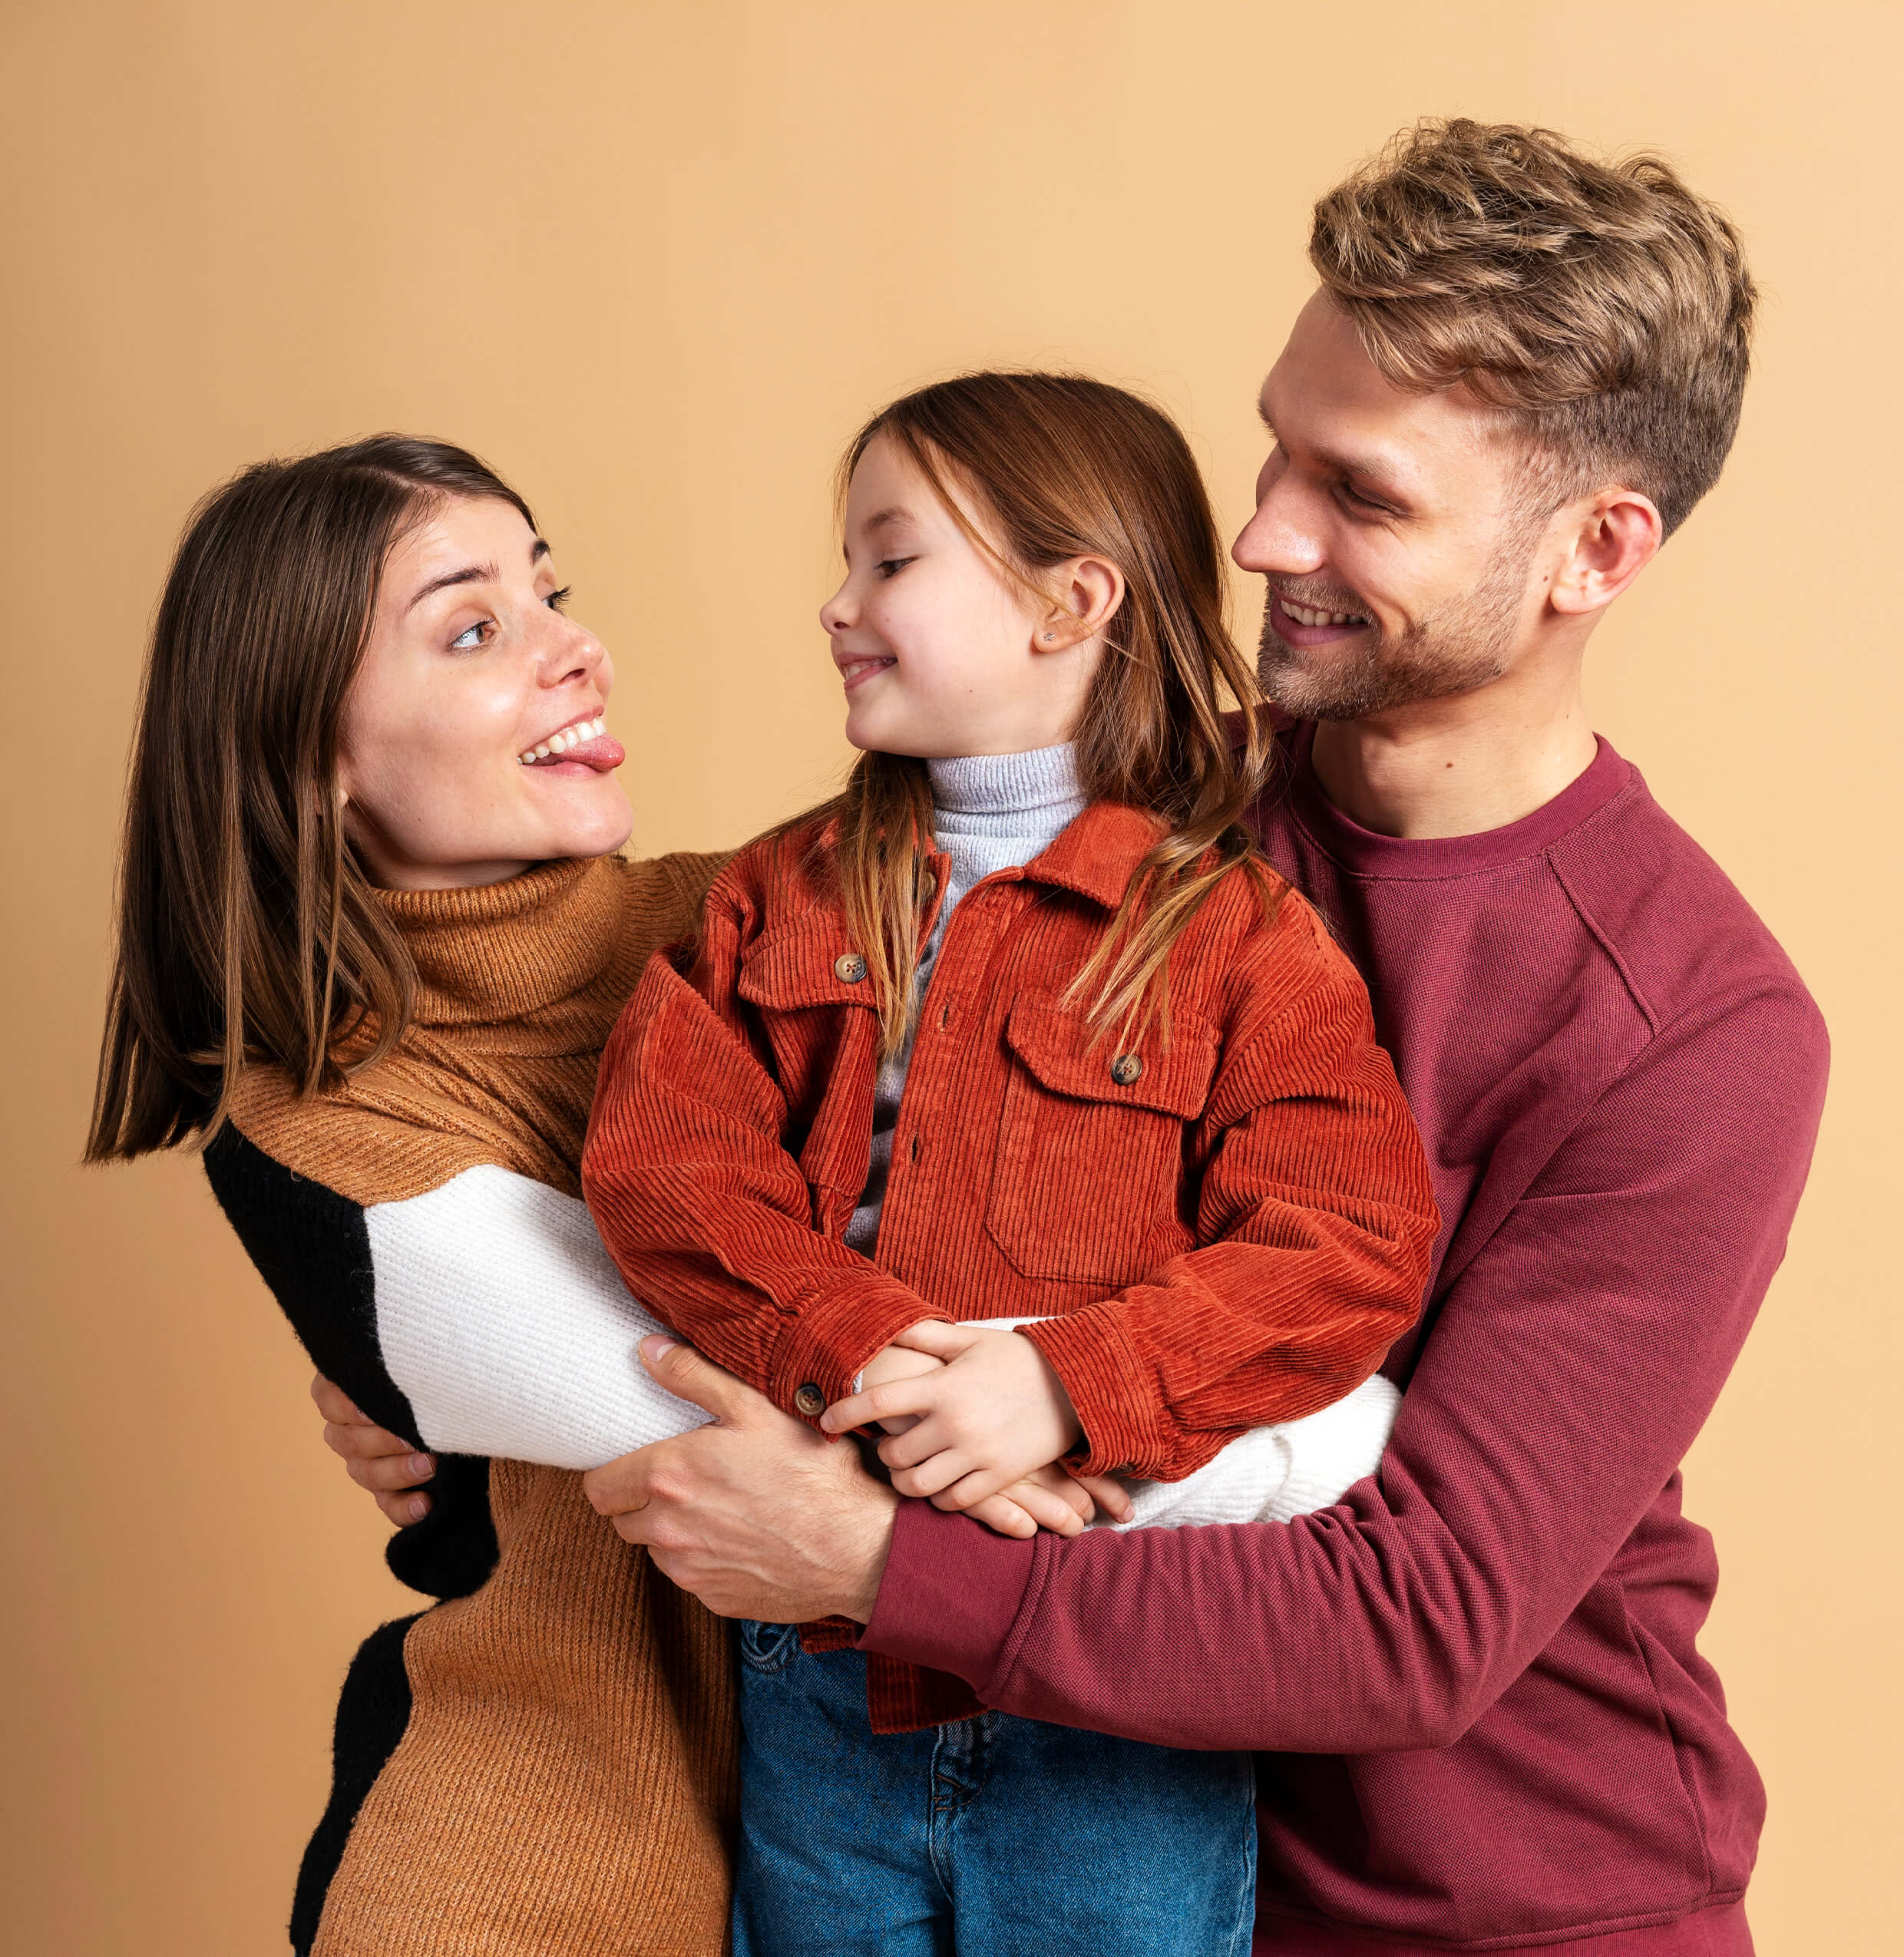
<point x="950" y="1596"/>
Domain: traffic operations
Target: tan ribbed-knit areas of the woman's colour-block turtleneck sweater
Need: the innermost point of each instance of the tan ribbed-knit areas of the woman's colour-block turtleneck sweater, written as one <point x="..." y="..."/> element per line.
<point x="568" y="1772"/>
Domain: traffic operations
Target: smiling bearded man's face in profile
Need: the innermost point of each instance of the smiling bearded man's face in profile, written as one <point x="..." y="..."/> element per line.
<point x="1392" y="529"/>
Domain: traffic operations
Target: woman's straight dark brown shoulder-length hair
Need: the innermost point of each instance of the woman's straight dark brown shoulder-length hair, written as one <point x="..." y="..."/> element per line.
<point x="248" y="931"/>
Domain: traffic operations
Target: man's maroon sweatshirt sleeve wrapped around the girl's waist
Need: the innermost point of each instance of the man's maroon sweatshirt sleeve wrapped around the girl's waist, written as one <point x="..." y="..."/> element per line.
<point x="1559" y="1387"/>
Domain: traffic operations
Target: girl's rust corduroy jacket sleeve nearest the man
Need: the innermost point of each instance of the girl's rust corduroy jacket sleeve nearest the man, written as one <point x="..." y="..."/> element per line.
<point x="1316" y="1220"/>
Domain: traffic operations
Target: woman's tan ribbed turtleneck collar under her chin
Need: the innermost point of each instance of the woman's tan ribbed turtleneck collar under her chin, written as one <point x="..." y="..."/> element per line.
<point x="514" y="948"/>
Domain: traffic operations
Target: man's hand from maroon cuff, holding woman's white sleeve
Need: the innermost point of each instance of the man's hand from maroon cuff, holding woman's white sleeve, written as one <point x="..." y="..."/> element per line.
<point x="758" y="1516"/>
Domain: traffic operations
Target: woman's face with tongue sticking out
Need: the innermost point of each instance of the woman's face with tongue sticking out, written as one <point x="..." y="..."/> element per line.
<point x="473" y="741"/>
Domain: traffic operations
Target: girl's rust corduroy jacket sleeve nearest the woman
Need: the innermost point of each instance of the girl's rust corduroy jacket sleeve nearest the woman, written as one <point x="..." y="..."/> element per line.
<point x="702" y="1205"/>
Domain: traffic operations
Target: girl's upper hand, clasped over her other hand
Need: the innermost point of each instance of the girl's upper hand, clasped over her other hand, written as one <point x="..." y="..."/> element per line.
<point x="989" y="1418"/>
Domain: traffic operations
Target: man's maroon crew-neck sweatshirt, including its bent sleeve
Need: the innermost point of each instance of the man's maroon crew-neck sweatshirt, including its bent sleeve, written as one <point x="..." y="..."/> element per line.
<point x="1474" y="1686"/>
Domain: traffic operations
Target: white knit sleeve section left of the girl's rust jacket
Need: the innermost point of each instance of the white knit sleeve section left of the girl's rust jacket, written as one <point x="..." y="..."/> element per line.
<point x="510" y="1330"/>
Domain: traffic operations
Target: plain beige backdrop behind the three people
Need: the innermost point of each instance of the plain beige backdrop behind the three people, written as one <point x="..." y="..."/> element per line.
<point x="657" y="263"/>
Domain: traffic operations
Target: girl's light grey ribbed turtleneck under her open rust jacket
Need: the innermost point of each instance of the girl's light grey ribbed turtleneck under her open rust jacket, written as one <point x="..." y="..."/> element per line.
<point x="989" y="813"/>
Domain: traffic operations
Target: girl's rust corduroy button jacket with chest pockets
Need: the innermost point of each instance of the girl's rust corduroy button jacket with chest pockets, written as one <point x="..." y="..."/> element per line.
<point x="1224" y="1230"/>
